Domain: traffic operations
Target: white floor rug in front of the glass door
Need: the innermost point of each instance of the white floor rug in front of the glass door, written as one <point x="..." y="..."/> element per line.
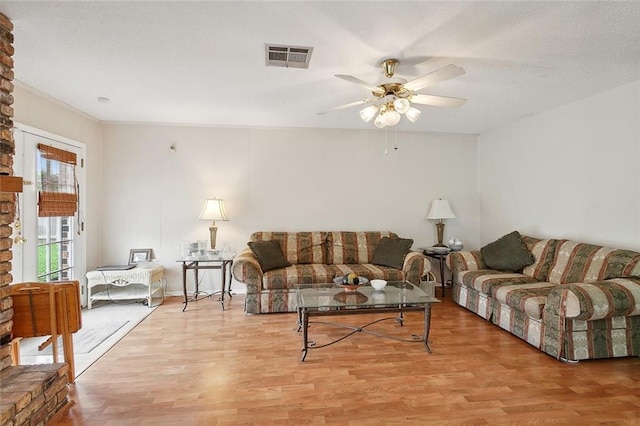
<point x="90" y="342"/>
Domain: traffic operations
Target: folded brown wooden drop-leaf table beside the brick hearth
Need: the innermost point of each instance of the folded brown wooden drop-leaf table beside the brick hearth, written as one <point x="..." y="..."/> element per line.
<point x="47" y="309"/>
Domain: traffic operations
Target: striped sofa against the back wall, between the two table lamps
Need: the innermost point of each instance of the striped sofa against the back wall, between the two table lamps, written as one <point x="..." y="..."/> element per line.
<point x="317" y="257"/>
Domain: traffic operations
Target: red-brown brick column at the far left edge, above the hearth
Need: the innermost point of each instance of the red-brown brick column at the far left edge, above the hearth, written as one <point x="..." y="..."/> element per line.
<point x="7" y="200"/>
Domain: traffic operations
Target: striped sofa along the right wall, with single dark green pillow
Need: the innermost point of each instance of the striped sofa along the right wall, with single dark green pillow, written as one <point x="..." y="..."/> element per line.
<point x="576" y="301"/>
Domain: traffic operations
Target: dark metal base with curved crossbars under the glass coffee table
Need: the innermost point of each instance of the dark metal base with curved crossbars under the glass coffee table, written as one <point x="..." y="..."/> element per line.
<point x="304" y="315"/>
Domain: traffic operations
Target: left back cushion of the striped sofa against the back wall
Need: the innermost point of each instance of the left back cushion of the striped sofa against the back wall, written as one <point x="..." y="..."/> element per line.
<point x="298" y="247"/>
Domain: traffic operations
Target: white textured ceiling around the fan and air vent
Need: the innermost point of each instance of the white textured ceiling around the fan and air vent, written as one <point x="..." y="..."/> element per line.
<point x="203" y="62"/>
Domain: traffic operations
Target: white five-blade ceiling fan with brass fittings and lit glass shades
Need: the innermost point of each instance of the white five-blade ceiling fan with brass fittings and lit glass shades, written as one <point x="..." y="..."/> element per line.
<point x="395" y="97"/>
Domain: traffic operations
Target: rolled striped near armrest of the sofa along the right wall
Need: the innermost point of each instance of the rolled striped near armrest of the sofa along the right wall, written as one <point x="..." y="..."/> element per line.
<point x="618" y="297"/>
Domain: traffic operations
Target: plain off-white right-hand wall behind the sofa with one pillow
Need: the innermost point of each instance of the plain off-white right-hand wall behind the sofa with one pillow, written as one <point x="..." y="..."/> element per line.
<point x="571" y="172"/>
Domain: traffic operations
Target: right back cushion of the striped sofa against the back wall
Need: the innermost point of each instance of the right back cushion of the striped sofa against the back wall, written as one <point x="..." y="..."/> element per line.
<point x="353" y="247"/>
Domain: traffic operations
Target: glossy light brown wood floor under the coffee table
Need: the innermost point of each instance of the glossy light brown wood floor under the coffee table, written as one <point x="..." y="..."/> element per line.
<point x="208" y="367"/>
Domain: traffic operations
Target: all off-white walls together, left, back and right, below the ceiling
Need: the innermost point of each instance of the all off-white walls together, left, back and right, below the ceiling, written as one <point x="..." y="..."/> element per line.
<point x="570" y="172"/>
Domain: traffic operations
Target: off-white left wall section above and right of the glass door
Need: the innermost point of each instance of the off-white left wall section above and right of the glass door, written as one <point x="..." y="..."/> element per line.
<point x="44" y="113"/>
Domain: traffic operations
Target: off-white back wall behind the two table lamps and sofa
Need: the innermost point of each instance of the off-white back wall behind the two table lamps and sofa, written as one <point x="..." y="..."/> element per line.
<point x="277" y="179"/>
